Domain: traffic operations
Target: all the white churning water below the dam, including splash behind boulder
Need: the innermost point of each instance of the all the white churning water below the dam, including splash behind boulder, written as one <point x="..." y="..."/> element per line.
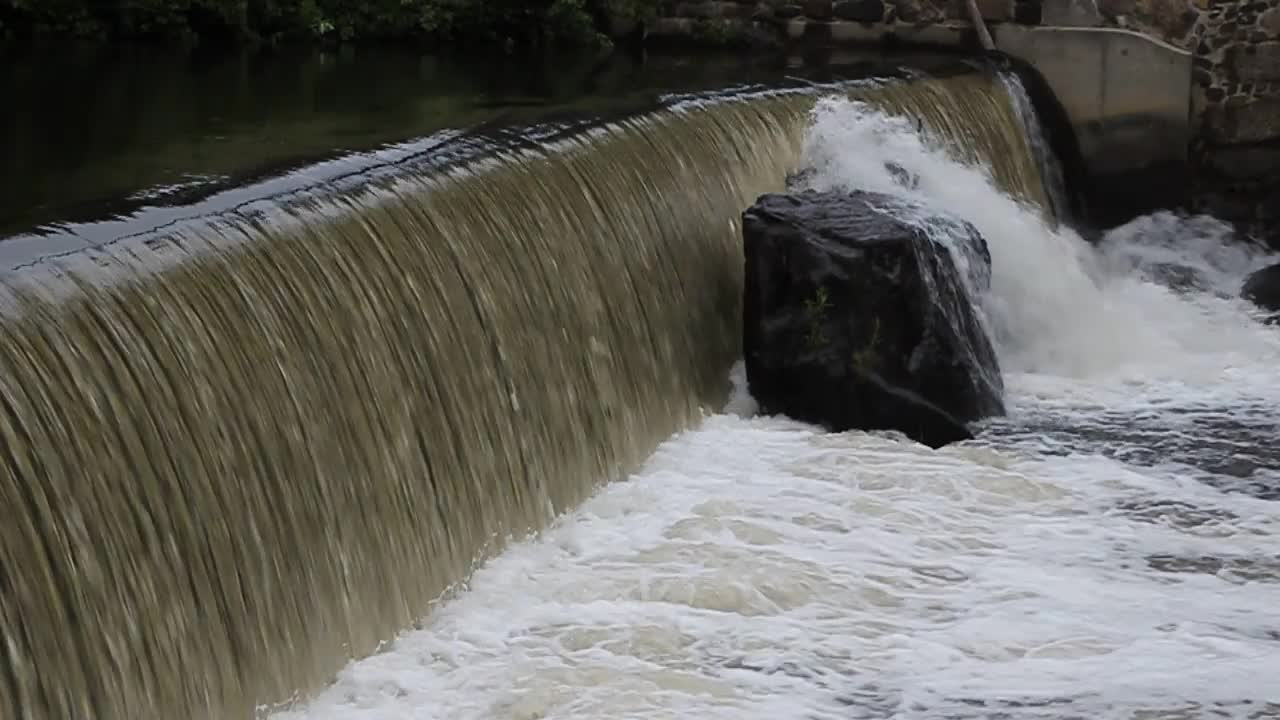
<point x="1089" y="557"/>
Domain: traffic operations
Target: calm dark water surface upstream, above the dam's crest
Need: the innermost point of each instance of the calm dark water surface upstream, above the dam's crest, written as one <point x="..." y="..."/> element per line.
<point x="98" y="131"/>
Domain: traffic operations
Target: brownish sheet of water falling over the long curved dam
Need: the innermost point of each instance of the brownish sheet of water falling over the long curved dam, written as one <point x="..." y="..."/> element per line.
<point x="244" y="449"/>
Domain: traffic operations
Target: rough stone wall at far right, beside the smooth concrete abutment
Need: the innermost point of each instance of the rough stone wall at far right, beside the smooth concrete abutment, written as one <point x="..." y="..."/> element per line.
<point x="1236" y="106"/>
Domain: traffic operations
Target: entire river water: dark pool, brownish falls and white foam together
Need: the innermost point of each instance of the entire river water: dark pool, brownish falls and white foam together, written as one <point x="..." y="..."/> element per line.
<point x="255" y="435"/>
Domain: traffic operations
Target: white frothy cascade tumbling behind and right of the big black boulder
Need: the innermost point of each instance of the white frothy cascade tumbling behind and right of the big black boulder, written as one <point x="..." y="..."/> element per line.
<point x="1055" y="306"/>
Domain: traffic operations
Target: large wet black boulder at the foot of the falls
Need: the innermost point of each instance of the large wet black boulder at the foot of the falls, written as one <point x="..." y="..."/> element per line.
<point x="856" y="318"/>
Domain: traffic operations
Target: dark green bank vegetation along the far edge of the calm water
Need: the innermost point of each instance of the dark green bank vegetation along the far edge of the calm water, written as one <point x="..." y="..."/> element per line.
<point x="502" y="24"/>
